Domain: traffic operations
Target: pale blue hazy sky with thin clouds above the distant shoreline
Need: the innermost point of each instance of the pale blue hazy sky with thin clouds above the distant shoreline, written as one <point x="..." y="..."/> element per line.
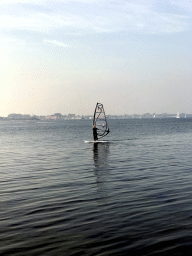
<point x="134" y="56"/>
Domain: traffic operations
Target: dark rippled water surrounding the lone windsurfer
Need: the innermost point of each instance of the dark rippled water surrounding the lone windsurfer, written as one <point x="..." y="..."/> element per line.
<point x="61" y="196"/>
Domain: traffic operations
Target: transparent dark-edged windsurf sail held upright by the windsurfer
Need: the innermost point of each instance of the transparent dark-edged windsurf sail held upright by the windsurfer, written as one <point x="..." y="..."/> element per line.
<point x="100" y="121"/>
